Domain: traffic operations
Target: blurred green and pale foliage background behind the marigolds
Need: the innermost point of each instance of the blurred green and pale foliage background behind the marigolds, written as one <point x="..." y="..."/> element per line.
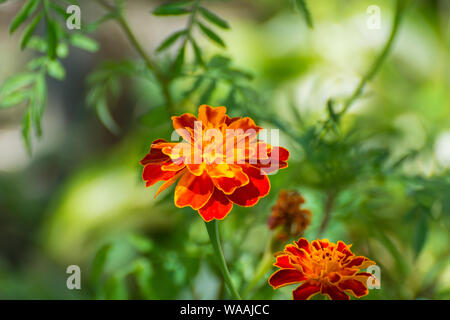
<point x="78" y="199"/>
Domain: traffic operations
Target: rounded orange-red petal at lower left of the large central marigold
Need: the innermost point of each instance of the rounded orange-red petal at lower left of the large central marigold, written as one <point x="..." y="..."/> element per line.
<point x="193" y="191"/>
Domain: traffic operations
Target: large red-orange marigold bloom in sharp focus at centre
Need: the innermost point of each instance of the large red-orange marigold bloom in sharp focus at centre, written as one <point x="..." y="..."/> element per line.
<point x="213" y="174"/>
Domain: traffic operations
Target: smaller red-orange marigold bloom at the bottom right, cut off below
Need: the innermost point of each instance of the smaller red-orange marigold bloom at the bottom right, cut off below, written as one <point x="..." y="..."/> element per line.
<point x="321" y="266"/>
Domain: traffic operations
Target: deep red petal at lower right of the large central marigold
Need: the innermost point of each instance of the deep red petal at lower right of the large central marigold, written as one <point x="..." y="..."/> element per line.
<point x="257" y="187"/>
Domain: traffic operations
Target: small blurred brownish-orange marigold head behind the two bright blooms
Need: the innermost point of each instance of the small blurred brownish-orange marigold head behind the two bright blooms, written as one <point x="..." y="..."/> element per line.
<point x="288" y="214"/>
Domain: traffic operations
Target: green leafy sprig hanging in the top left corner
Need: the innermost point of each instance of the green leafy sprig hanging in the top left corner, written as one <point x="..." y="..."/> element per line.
<point x="30" y="87"/>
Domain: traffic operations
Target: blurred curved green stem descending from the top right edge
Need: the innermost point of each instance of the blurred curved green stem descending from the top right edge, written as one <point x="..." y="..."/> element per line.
<point x="400" y="7"/>
